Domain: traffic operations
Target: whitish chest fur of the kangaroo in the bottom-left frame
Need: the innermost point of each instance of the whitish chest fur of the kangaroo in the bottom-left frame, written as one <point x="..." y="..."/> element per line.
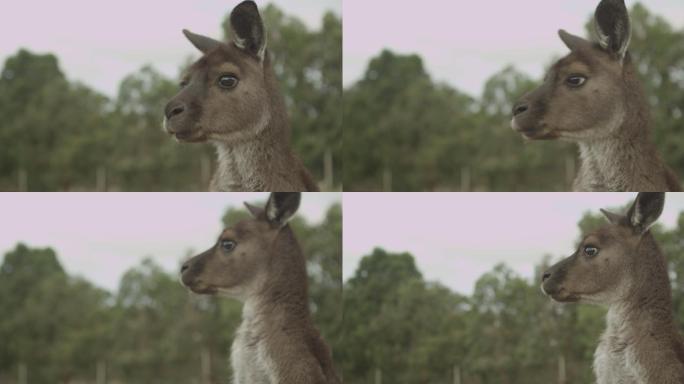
<point x="249" y="357"/>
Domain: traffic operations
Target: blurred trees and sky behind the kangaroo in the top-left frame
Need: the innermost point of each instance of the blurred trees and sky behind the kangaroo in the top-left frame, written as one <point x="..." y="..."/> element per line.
<point x="83" y="86"/>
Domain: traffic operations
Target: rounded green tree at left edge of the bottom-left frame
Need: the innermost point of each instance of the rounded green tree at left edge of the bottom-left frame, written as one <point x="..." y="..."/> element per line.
<point x="55" y="325"/>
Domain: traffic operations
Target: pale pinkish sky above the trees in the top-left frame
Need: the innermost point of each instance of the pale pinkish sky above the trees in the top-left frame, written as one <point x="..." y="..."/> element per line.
<point x="100" y="42"/>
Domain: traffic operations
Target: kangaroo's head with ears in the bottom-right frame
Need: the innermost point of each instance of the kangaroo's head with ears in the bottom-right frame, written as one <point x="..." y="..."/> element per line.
<point x="605" y="264"/>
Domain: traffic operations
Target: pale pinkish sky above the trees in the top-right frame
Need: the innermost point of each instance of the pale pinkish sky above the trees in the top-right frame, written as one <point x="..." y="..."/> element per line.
<point x="463" y="42"/>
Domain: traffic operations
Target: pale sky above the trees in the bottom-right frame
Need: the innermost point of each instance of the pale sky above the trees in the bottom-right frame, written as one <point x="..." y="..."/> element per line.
<point x="457" y="237"/>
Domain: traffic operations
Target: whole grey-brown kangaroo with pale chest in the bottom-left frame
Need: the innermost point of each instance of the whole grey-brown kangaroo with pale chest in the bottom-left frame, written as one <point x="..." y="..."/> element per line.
<point x="259" y="262"/>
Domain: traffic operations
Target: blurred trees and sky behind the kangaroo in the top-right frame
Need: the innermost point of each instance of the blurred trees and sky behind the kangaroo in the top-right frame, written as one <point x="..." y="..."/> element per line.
<point x="428" y="90"/>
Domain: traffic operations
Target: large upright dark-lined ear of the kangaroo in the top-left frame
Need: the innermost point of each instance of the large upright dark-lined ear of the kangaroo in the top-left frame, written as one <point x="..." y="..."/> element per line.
<point x="248" y="29"/>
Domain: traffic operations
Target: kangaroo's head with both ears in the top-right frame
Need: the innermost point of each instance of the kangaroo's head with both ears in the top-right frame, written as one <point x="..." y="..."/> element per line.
<point x="583" y="95"/>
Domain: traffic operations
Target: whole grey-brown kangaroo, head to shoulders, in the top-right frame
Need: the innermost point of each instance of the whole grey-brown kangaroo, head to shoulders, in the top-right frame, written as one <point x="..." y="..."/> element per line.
<point x="593" y="97"/>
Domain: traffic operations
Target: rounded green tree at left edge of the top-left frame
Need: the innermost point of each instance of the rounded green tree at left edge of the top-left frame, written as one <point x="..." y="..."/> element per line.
<point x="52" y="125"/>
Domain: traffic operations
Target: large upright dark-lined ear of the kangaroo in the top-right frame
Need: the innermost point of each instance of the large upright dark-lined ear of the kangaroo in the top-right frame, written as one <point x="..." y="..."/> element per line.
<point x="611" y="21"/>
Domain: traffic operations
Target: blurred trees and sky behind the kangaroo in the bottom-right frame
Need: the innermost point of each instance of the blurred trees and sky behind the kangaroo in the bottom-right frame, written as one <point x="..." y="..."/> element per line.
<point x="445" y="288"/>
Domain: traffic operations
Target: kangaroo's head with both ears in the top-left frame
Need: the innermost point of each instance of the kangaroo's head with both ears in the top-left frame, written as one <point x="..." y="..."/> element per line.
<point x="224" y="95"/>
